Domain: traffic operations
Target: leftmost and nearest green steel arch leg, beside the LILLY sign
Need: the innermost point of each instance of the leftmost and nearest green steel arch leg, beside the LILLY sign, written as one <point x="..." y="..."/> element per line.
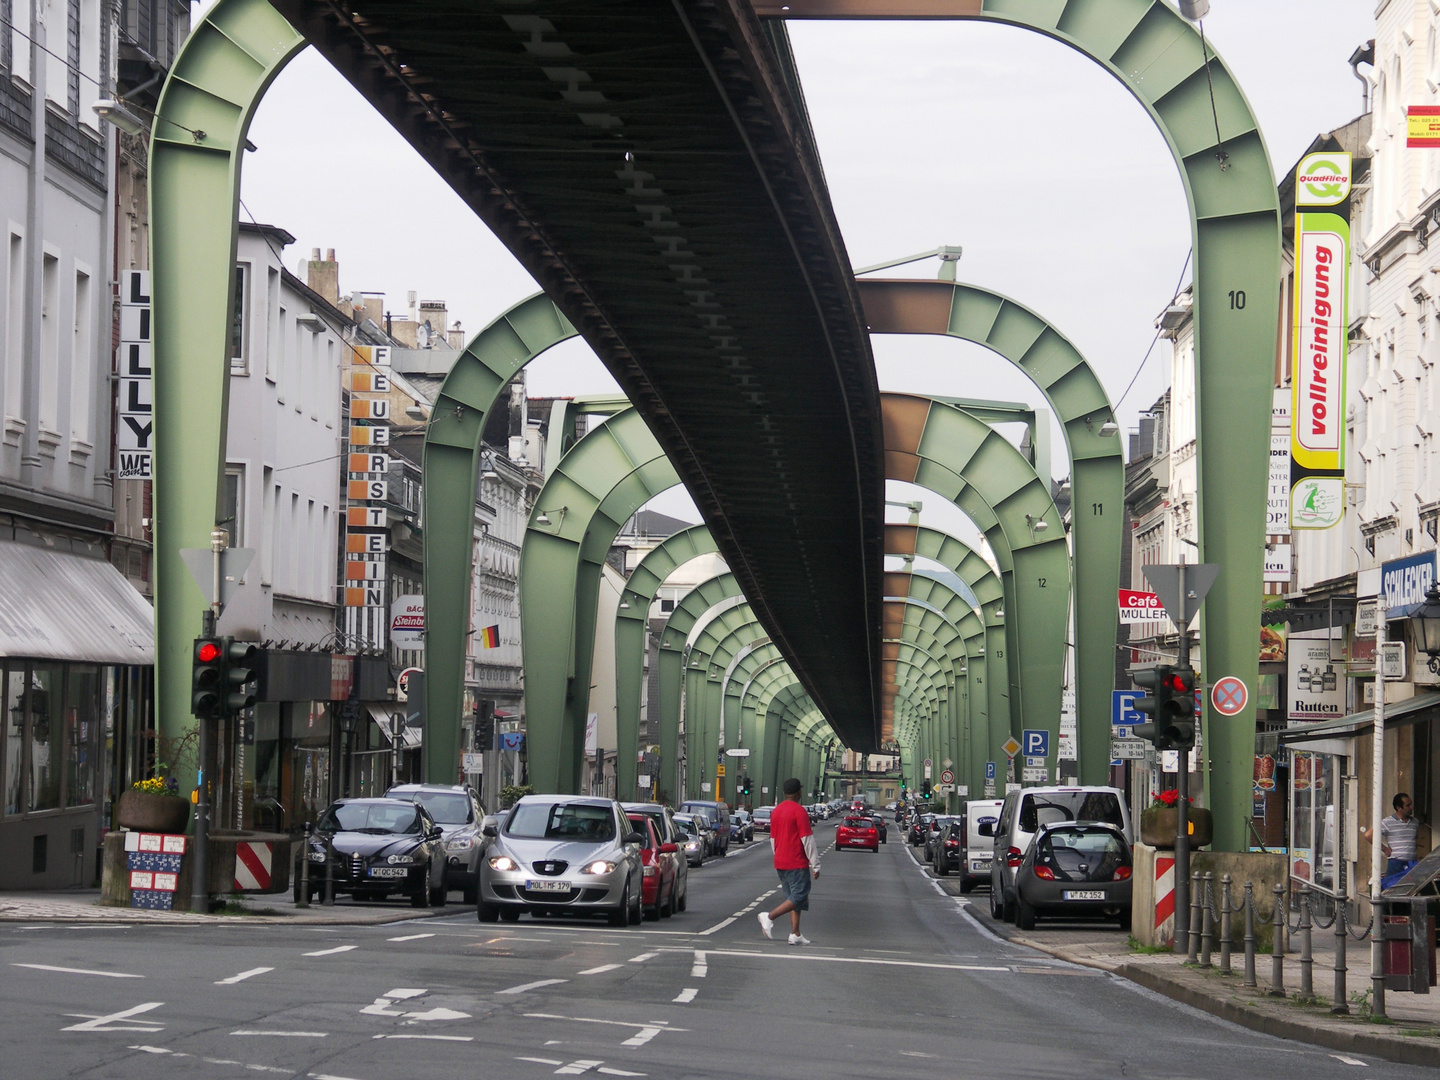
<point x="205" y="110"/>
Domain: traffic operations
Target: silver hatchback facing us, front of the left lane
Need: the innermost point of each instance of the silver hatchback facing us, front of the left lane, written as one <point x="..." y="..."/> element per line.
<point x="562" y="853"/>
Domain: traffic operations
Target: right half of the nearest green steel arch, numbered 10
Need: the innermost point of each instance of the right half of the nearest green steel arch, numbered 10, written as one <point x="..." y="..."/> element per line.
<point x="1218" y="146"/>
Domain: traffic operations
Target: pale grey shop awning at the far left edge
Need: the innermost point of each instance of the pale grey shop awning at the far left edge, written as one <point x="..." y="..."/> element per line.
<point x="57" y="606"/>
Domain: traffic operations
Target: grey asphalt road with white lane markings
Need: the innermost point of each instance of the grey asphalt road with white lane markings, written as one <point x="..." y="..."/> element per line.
<point x="901" y="981"/>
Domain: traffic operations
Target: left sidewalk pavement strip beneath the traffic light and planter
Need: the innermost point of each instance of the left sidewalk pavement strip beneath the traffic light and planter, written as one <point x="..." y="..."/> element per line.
<point x="84" y="906"/>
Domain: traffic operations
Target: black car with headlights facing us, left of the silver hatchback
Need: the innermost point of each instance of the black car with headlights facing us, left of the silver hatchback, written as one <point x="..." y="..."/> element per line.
<point x="377" y="849"/>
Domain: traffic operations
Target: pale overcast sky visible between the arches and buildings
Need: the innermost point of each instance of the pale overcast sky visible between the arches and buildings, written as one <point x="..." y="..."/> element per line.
<point x="1016" y="148"/>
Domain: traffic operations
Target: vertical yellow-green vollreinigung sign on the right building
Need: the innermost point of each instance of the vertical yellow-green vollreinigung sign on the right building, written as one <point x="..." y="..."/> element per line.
<point x="1321" y="305"/>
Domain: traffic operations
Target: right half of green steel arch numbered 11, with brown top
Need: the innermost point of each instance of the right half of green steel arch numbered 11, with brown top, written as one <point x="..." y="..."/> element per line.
<point x="1097" y="464"/>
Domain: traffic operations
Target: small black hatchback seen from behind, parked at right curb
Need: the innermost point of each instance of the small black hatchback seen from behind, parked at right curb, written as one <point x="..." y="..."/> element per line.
<point x="1075" y="869"/>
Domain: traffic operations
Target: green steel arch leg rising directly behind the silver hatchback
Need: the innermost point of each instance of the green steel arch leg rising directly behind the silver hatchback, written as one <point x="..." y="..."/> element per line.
<point x="597" y="487"/>
